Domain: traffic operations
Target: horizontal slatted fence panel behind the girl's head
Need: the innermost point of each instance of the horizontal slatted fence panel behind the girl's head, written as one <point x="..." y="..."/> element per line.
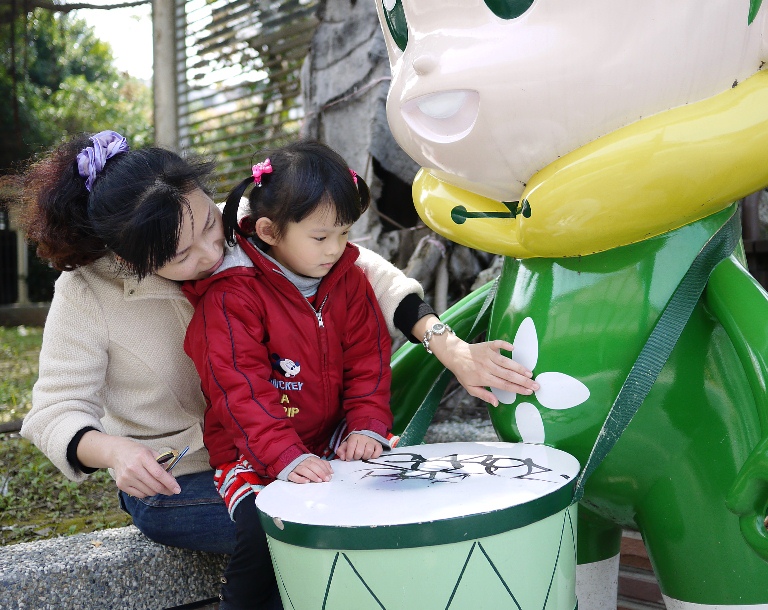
<point x="239" y="65"/>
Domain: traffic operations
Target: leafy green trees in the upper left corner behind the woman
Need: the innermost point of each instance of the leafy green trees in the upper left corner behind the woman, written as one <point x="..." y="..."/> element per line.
<point x="65" y="83"/>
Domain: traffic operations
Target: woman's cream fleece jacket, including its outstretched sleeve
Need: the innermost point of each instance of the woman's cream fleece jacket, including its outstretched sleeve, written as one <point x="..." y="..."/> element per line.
<point x="113" y="359"/>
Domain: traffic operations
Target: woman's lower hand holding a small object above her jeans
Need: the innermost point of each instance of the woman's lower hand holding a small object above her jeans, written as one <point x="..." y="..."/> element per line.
<point x="137" y="472"/>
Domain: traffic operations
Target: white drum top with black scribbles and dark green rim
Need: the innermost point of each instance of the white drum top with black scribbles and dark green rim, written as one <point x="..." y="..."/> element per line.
<point x="422" y="495"/>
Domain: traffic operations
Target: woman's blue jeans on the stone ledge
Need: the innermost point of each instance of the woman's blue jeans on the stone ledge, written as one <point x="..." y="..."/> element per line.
<point x="195" y="519"/>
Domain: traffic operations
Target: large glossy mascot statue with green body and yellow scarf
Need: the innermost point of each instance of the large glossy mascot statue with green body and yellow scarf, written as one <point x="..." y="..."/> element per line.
<point x="599" y="146"/>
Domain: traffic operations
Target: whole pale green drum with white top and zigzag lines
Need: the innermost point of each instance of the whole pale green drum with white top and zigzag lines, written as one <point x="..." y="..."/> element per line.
<point x="451" y="525"/>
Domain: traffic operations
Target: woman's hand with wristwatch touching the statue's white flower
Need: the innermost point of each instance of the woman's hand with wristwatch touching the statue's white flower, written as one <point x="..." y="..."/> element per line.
<point x="478" y="365"/>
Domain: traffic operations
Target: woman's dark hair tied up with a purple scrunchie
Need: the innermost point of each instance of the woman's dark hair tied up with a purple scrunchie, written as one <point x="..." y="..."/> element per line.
<point x="135" y="208"/>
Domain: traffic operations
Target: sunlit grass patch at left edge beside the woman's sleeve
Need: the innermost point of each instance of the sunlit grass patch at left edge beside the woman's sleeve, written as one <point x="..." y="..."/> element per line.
<point x="19" y="351"/>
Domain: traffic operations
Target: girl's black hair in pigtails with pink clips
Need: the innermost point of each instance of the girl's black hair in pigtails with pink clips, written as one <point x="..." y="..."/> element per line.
<point x="304" y="176"/>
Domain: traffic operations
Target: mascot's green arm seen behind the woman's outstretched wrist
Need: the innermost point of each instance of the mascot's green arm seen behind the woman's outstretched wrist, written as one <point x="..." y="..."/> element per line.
<point x="416" y="375"/>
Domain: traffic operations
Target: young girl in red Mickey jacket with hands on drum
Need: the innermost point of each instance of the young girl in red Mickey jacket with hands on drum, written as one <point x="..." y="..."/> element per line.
<point x="290" y="344"/>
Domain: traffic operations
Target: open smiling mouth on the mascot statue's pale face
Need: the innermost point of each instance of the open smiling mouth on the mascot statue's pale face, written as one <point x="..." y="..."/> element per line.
<point x="446" y="116"/>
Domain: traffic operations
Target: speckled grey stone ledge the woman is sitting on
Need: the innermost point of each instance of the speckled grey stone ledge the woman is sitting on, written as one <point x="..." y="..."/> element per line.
<point x="92" y="570"/>
